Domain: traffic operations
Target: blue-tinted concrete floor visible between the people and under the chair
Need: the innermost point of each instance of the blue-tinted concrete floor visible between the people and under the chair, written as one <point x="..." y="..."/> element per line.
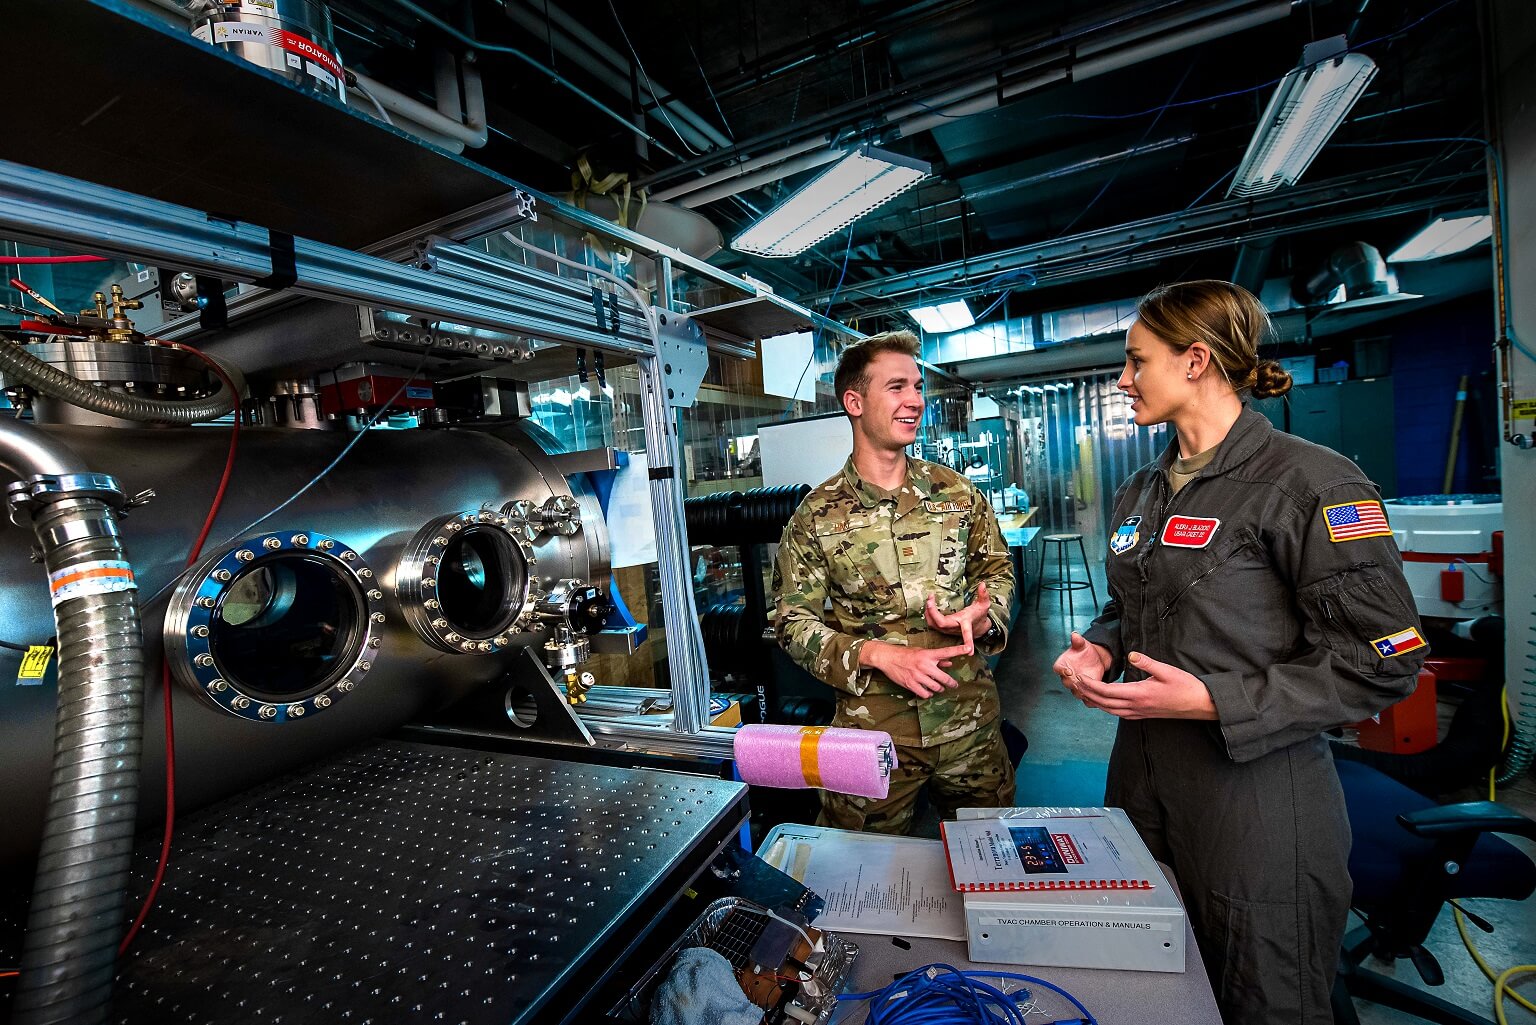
<point x="1067" y="766"/>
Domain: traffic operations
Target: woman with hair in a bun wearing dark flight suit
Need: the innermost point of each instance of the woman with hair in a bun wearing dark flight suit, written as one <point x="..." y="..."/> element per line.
<point x="1257" y="600"/>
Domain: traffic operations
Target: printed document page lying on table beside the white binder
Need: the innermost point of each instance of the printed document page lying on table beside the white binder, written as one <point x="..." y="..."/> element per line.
<point x="896" y="886"/>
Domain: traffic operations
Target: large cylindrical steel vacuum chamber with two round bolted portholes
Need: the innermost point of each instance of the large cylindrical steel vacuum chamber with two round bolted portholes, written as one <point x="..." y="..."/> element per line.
<point x="290" y="612"/>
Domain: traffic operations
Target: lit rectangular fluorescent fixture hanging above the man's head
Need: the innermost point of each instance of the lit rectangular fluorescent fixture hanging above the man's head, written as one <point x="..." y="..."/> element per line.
<point x="833" y="201"/>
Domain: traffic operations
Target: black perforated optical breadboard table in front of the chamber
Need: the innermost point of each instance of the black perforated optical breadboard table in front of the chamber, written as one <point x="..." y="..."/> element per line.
<point x="412" y="883"/>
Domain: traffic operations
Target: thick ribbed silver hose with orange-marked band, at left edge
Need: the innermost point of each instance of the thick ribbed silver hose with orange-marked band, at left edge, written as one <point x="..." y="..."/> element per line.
<point x="79" y="898"/>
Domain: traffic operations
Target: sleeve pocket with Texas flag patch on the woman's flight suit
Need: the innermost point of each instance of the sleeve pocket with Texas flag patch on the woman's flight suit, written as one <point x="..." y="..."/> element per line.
<point x="1365" y="622"/>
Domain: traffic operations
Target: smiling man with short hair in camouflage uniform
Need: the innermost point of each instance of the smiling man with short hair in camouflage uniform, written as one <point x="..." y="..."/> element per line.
<point x="881" y="571"/>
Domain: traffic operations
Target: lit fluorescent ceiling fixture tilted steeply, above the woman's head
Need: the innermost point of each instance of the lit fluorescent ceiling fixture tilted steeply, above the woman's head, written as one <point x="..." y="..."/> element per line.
<point x="1306" y="110"/>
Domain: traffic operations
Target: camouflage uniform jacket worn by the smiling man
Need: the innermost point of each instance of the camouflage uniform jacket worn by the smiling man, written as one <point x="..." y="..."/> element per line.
<point x="859" y="563"/>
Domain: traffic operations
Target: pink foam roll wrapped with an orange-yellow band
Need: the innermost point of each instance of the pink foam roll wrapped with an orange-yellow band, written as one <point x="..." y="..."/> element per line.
<point x="799" y="758"/>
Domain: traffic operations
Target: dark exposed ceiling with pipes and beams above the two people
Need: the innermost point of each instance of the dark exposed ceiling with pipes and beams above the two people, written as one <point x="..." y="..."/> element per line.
<point x="1081" y="150"/>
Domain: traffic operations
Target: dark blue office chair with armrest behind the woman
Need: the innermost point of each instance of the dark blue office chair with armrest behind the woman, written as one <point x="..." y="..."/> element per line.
<point x="1412" y="857"/>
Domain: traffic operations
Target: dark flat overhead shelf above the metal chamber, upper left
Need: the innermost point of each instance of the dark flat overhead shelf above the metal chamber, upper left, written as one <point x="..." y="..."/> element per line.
<point x="127" y="101"/>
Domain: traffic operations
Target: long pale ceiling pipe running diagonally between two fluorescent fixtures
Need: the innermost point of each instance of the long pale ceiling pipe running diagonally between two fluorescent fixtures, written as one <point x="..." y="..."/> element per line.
<point x="988" y="93"/>
